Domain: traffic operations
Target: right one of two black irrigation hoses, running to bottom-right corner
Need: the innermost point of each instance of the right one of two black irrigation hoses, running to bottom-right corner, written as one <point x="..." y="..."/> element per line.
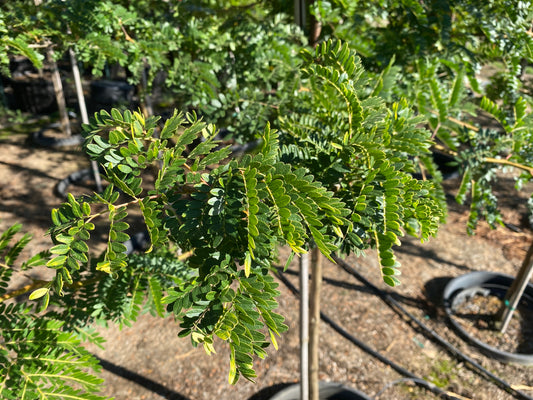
<point x="391" y="302"/>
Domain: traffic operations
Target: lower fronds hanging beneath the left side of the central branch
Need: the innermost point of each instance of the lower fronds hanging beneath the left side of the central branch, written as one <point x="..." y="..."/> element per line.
<point x="102" y="298"/>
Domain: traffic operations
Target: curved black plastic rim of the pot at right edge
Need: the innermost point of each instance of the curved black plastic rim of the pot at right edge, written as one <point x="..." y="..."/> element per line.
<point x="491" y="281"/>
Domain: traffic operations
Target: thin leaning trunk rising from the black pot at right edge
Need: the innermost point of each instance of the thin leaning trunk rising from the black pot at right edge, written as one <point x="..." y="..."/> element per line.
<point x="514" y="293"/>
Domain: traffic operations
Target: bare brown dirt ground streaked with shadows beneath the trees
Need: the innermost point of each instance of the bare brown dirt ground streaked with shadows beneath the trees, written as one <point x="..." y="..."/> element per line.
<point x="149" y="361"/>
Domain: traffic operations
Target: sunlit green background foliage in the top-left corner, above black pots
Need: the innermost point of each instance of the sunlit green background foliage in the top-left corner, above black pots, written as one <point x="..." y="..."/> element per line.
<point x="101" y="32"/>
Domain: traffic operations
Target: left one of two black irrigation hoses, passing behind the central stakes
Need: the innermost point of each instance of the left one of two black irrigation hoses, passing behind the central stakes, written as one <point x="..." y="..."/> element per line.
<point x="363" y="346"/>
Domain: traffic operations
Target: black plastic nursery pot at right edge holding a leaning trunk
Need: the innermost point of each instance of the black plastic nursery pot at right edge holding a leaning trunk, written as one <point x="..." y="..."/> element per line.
<point x="464" y="288"/>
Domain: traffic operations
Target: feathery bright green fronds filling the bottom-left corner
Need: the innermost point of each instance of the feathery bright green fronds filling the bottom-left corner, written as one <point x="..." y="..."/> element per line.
<point x="61" y="359"/>
